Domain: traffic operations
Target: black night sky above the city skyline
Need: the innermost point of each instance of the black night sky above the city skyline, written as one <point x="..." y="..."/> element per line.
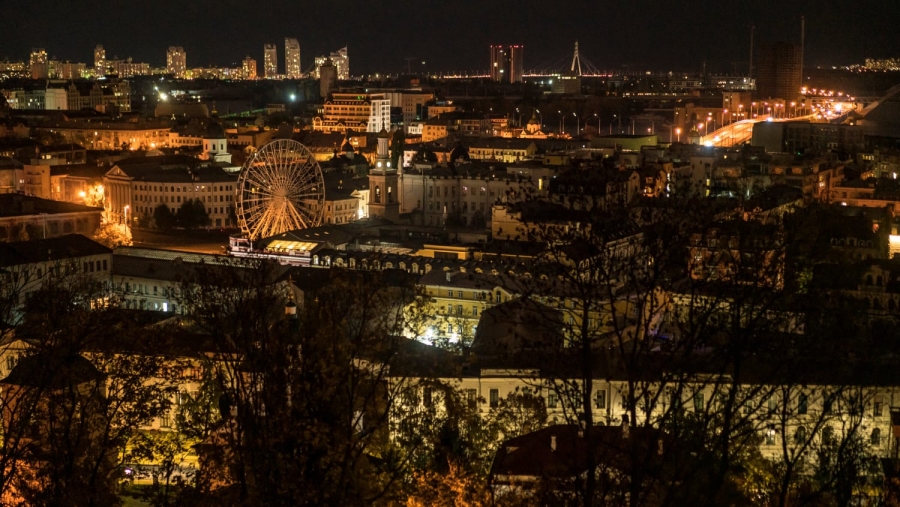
<point x="452" y="34"/>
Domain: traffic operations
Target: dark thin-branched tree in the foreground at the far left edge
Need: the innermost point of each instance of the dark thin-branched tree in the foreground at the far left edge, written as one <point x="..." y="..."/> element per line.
<point x="86" y="380"/>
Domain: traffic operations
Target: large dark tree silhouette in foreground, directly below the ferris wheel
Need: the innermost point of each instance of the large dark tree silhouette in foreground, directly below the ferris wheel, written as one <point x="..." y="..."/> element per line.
<point x="309" y="399"/>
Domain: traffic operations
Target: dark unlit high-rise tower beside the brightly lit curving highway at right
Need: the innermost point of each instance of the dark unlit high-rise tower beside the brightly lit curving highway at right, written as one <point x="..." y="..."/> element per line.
<point x="778" y="68"/>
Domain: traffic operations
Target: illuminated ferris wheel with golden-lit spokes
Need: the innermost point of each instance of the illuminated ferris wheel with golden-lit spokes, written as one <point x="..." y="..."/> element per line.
<point x="280" y="189"/>
